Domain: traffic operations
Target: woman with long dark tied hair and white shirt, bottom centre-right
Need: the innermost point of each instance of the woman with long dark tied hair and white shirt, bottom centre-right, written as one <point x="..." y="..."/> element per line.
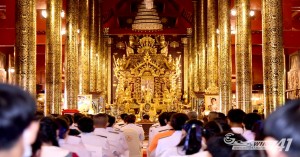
<point x="191" y="144"/>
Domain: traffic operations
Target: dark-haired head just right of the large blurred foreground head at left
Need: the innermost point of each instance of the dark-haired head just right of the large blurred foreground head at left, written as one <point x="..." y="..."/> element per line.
<point x="48" y="131"/>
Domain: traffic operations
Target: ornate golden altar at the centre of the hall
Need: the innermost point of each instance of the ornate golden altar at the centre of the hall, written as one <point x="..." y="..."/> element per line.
<point x="148" y="77"/>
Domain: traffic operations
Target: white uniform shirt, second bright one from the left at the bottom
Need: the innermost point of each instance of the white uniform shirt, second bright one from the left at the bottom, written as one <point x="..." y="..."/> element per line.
<point x="97" y="141"/>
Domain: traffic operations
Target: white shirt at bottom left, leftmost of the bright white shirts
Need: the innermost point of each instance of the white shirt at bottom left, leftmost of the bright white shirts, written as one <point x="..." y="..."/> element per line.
<point x="75" y="145"/>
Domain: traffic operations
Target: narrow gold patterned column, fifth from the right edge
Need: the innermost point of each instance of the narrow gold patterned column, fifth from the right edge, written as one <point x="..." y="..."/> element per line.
<point x="201" y="37"/>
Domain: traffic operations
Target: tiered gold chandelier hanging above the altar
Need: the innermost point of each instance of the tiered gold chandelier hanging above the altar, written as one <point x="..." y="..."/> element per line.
<point x="147" y="18"/>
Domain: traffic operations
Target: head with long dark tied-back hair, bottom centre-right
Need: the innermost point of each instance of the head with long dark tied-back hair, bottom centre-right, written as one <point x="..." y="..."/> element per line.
<point x="192" y="142"/>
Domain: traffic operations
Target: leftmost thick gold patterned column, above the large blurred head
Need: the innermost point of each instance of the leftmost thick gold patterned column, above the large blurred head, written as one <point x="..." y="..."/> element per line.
<point x="26" y="45"/>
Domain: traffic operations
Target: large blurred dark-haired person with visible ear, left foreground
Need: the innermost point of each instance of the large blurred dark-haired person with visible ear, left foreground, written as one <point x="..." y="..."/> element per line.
<point x="18" y="128"/>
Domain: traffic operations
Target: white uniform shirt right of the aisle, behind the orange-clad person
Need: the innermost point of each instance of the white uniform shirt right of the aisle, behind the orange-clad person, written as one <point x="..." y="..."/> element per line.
<point x="170" y="141"/>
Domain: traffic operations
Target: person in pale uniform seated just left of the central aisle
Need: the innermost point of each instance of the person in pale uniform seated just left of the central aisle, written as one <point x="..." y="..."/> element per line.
<point x="131" y="125"/>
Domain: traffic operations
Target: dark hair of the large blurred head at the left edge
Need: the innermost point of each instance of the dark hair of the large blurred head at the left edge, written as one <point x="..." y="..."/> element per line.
<point x="17" y="110"/>
